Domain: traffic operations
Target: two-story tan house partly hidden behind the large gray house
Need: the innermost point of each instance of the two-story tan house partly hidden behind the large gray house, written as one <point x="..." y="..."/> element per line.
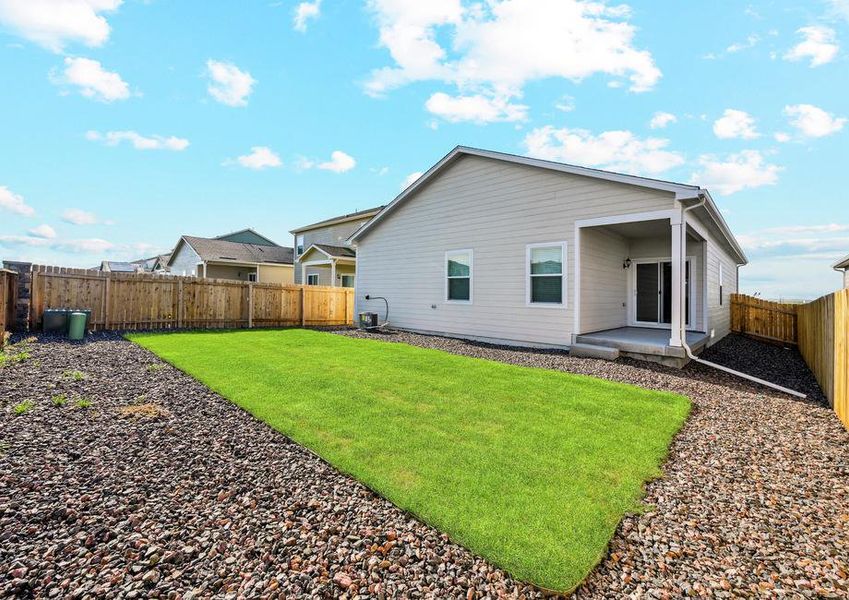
<point x="323" y="255"/>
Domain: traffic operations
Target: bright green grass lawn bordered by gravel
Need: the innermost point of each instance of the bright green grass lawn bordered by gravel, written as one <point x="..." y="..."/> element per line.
<point x="532" y="469"/>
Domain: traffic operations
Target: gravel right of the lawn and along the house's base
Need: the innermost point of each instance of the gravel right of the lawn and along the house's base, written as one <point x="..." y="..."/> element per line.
<point x="755" y="496"/>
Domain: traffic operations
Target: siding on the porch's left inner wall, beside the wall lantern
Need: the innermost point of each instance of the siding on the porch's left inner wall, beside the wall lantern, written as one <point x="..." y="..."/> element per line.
<point x="604" y="283"/>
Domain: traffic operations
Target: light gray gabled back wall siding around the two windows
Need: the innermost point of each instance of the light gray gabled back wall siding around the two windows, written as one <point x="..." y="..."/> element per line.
<point x="496" y="209"/>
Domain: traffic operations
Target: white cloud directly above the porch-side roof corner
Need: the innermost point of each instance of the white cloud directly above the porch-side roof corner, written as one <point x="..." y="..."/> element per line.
<point x="740" y="171"/>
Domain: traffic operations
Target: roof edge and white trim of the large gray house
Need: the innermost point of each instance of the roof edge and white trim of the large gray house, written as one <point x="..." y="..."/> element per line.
<point x="682" y="191"/>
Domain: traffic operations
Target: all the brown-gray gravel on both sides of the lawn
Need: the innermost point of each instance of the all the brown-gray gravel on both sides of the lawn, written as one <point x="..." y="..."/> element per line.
<point x="157" y="487"/>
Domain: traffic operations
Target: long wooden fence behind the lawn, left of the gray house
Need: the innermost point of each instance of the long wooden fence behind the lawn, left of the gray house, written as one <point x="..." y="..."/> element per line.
<point x="148" y="301"/>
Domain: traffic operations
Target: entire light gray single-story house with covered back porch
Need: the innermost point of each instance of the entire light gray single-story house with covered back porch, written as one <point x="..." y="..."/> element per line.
<point x="515" y="250"/>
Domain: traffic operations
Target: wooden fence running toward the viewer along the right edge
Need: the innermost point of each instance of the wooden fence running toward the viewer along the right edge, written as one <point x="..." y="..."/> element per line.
<point x="824" y="344"/>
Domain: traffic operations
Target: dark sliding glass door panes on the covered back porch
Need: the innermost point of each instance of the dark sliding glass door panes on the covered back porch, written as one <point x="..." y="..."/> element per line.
<point x="653" y="292"/>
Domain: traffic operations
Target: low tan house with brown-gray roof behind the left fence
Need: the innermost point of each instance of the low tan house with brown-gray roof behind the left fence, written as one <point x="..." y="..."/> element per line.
<point x="242" y="255"/>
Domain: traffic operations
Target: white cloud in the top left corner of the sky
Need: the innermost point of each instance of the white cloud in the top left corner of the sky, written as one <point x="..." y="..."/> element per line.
<point x="53" y="24"/>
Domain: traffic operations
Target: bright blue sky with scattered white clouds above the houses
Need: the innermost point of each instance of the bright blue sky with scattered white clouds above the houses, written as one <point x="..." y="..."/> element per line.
<point x="127" y="124"/>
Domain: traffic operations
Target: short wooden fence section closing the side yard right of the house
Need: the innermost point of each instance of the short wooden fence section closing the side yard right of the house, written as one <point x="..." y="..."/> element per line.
<point x="773" y="321"/>
